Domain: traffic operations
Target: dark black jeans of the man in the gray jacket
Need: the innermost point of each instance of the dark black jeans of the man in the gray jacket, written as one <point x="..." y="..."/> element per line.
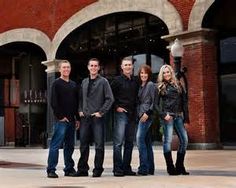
<point x="91" y="127"/>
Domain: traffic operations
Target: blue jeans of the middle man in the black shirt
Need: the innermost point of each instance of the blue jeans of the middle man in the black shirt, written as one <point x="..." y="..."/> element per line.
<point x="123" y="131"/>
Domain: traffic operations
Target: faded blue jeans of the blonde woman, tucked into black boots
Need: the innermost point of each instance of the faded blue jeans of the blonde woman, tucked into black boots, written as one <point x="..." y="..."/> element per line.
<point x="178" y="125"/>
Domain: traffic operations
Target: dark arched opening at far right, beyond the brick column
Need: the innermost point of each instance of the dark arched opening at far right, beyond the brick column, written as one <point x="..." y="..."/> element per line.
<point x="220" y="17"/>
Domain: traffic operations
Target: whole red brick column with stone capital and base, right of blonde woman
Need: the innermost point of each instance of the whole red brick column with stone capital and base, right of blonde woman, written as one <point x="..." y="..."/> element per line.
<point x="201" y="63"/>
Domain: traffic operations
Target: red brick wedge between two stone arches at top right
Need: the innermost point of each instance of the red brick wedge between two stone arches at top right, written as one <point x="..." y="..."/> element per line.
<point x="184" y="8"/>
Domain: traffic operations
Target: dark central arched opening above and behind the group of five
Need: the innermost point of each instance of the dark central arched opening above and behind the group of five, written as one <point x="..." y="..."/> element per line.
<point x="113" y="37"/>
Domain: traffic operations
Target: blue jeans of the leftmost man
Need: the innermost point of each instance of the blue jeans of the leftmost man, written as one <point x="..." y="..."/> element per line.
<point x="64" y="132"/>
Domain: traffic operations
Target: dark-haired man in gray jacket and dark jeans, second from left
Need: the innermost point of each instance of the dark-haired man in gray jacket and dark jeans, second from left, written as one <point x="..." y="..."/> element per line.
<point x="96" y="98"/>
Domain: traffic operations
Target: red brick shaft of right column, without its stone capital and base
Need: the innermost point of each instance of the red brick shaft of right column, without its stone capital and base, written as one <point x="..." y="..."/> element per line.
<point x="200" y="60"/>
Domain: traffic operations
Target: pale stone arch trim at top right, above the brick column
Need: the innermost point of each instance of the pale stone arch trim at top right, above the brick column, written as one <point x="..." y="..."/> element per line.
<point x="197" y="14"/>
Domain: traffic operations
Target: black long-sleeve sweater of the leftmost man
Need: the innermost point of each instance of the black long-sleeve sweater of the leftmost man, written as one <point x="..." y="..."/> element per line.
<point x="64" y="99"/>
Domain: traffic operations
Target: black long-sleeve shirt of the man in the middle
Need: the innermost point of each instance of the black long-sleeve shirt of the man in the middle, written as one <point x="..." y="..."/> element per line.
<point x="125" y="92"/>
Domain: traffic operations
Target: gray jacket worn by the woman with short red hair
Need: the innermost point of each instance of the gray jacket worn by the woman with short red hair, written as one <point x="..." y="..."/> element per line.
<point x="146" y="99"/>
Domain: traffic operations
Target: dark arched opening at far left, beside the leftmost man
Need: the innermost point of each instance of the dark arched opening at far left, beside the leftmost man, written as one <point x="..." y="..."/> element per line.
<point x="23" y="94"/>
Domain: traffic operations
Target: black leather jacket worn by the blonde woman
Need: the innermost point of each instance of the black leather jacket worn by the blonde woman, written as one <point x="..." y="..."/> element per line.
<point x="173" y="103"/>
